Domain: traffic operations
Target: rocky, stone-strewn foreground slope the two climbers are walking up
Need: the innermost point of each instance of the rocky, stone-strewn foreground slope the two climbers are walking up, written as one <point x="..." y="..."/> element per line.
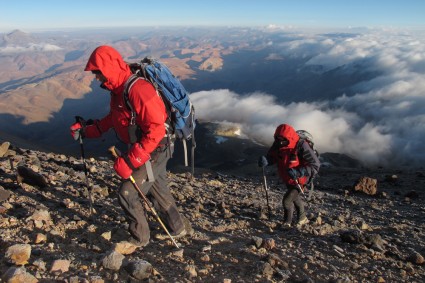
<point x="48" y="235"/>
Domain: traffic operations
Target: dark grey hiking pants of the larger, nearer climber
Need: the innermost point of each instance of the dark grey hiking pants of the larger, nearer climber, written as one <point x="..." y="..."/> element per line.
<point x="157" y="191"/>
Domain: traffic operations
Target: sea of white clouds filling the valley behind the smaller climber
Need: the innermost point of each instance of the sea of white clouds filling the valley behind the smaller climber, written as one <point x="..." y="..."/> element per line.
<point x="383" y="124"/>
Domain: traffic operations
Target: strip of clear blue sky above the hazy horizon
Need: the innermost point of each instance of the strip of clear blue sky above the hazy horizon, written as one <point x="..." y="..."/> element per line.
<point x="31" y="15"/>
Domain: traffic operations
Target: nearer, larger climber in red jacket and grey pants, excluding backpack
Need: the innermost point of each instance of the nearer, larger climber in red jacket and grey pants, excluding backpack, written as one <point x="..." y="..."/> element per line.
<point x="150" y="146"/>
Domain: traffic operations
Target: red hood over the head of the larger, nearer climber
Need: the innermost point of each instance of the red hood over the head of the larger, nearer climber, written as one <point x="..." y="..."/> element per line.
<point x="111" y="64"/>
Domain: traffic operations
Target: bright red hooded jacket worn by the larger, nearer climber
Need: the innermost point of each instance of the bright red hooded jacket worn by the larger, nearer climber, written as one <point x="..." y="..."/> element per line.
<point x="148" y="105"/>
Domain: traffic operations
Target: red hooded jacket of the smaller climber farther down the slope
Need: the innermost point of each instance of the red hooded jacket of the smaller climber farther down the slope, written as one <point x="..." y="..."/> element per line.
<point x="287" y="157"/>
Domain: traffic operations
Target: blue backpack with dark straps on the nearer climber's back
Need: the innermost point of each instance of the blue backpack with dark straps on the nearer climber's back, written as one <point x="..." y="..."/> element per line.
<point x="180" y="109"/>
